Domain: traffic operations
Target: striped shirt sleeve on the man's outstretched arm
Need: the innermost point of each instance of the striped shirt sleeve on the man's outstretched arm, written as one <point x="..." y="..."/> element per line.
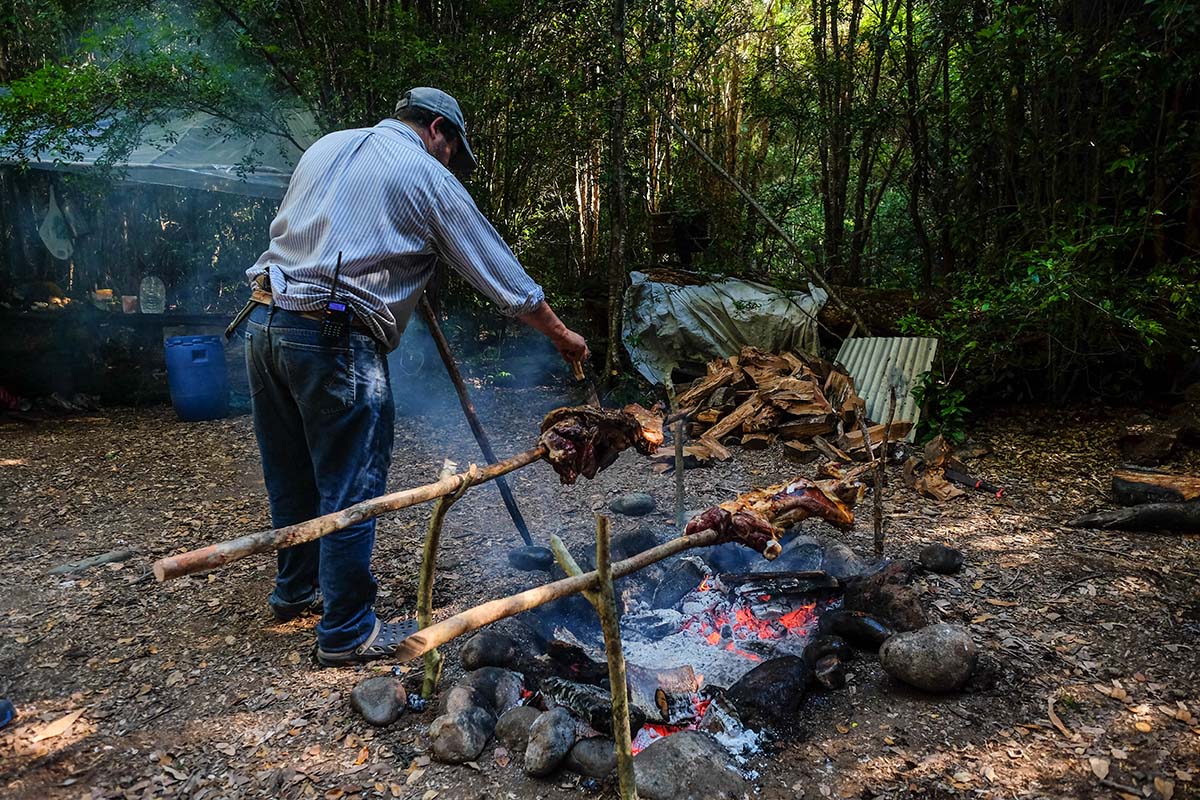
<point x="469" y="243"/>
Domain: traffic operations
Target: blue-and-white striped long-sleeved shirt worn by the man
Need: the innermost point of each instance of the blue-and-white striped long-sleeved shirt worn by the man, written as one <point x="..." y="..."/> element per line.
<point x="392" y="209"/>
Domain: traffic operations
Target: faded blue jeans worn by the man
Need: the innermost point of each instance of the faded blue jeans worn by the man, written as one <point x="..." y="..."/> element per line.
<point x="325" y="419"/>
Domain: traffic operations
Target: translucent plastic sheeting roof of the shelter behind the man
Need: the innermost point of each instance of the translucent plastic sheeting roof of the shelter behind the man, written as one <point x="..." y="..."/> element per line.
<point x="197" y="152"/>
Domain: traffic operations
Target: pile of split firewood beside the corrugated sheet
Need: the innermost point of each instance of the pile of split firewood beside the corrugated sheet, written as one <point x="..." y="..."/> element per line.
<point x="758" y="399"/>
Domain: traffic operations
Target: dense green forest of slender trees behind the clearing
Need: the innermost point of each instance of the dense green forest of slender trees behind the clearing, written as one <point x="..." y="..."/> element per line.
<point x="1033" y="166"/>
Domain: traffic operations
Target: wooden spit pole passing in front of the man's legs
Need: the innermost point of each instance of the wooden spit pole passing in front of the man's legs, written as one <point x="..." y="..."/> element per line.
<point x="214" y="556"/>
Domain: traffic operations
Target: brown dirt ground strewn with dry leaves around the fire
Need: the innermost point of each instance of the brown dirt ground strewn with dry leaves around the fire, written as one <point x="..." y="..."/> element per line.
<point x="131" y="689"/>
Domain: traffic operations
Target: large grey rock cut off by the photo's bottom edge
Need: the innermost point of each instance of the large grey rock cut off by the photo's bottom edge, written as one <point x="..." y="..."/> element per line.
<point x="688" y="766"/>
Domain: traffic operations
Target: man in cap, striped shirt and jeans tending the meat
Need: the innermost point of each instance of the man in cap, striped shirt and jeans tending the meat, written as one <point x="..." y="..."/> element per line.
<point x="382" y="203"/>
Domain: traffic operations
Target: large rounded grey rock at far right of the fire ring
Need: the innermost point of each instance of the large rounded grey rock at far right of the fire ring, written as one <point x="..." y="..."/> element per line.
<point x="935" y="659"/>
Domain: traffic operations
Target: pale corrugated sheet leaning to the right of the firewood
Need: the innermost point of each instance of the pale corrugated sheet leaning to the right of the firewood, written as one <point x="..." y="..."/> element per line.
<point x="877" y="363"/>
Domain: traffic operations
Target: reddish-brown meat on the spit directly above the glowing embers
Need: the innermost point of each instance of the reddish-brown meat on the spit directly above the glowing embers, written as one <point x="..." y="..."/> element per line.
<point x="759" y="518"/>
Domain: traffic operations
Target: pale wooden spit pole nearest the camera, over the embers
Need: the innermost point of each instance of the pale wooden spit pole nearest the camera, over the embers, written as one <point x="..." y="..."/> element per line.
<point x="505" y="607"/>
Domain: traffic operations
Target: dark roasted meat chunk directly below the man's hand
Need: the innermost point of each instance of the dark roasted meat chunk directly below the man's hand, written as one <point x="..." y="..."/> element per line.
<point x="585" y="440"/>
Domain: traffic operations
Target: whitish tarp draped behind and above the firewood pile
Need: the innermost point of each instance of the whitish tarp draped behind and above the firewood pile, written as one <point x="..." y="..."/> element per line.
<point x="667" y="326"/>
